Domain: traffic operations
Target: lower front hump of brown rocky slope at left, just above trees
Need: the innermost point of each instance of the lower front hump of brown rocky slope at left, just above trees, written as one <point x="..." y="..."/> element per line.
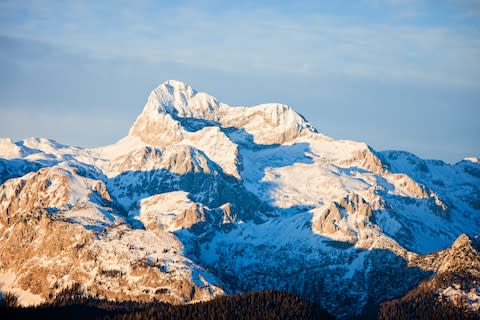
<point x="121" y="264"/>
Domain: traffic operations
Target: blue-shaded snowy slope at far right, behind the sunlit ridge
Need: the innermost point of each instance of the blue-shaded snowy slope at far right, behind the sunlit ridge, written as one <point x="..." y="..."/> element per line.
<point x="450" y="208"/>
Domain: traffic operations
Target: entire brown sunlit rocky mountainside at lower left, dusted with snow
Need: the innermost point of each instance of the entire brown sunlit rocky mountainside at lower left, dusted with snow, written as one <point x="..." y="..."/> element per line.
<point x="57" y="229"/>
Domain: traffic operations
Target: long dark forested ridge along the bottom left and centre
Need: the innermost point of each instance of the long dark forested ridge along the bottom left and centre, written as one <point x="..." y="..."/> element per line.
<point x="71" y="304"/>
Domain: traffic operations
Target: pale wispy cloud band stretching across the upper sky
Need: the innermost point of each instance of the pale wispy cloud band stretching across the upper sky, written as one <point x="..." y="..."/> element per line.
<point x="259" y="40"/>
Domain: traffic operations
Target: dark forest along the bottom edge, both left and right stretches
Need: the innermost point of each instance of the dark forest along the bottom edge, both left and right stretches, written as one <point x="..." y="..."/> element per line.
<point x="72" y="304"/>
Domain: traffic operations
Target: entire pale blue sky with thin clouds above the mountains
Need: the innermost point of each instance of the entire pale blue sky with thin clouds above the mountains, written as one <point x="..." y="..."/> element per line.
<point x="395" y="74"/>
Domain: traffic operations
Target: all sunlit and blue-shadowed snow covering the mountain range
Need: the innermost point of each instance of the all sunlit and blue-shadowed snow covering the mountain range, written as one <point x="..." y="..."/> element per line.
<point x="417" y="206"/>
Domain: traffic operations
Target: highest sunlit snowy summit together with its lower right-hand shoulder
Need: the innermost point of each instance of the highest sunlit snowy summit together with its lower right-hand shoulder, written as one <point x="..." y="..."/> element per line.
<point x="174" y="110"/>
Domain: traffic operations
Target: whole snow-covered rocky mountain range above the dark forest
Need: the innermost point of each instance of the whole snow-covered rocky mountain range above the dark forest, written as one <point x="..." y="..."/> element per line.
<point x="203" y="199"/>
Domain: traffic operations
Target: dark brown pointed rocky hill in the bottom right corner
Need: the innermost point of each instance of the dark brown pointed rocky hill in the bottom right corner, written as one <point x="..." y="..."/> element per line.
<point x="455" y="284"/>
